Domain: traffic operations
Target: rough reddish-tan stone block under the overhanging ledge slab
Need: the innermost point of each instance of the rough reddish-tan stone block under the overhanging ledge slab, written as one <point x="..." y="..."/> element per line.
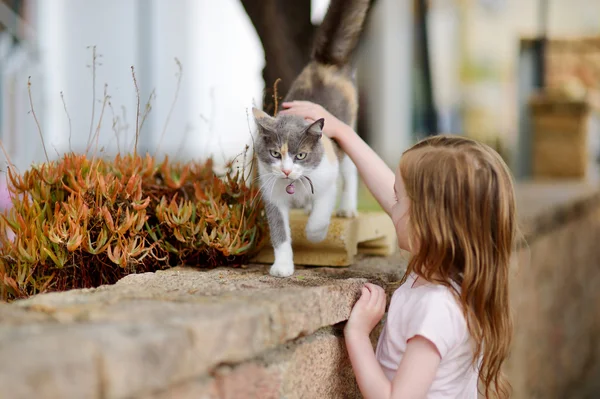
<point x="313" y="367"/>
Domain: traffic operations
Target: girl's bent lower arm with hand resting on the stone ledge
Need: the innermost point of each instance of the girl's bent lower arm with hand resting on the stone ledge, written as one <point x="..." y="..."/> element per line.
<point x="417" y="368"/>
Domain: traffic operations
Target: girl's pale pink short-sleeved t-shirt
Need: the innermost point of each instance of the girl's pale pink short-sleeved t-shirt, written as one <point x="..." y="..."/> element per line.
<point x="430" y="311"/>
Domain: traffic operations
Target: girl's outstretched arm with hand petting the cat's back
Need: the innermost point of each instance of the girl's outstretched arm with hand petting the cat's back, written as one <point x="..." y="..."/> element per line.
<point x="378" y="177"/>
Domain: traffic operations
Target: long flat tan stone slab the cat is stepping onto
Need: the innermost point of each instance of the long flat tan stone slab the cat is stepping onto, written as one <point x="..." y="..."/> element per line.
<point x="154" y="330"/>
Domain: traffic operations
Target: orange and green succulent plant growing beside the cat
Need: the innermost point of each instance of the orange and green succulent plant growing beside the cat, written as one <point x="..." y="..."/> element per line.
<point x="82" y="222"/>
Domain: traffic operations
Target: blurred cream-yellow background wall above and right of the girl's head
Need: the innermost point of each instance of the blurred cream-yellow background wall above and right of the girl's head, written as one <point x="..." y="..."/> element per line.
<point x="475" y="47"/>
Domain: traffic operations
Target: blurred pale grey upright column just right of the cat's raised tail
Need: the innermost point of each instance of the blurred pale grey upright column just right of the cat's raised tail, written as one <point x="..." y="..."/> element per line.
<point x="385" y="78"/>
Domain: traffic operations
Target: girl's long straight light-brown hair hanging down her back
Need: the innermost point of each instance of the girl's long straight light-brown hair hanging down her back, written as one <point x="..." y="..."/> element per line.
<point x="463" y="217"/>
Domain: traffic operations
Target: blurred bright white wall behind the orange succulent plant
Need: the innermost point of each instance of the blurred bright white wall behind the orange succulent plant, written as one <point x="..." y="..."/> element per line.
<point x="214" y="41"/>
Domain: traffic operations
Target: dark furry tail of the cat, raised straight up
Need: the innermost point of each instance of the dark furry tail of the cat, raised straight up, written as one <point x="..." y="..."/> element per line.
<point x="339" y="32"/>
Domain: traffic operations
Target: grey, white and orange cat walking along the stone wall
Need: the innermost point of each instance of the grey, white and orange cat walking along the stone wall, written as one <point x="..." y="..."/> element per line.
<point x="298" y="166"/>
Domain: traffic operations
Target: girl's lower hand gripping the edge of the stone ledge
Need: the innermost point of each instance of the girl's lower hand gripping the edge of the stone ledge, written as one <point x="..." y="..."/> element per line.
<point x="367" y="311"/>
